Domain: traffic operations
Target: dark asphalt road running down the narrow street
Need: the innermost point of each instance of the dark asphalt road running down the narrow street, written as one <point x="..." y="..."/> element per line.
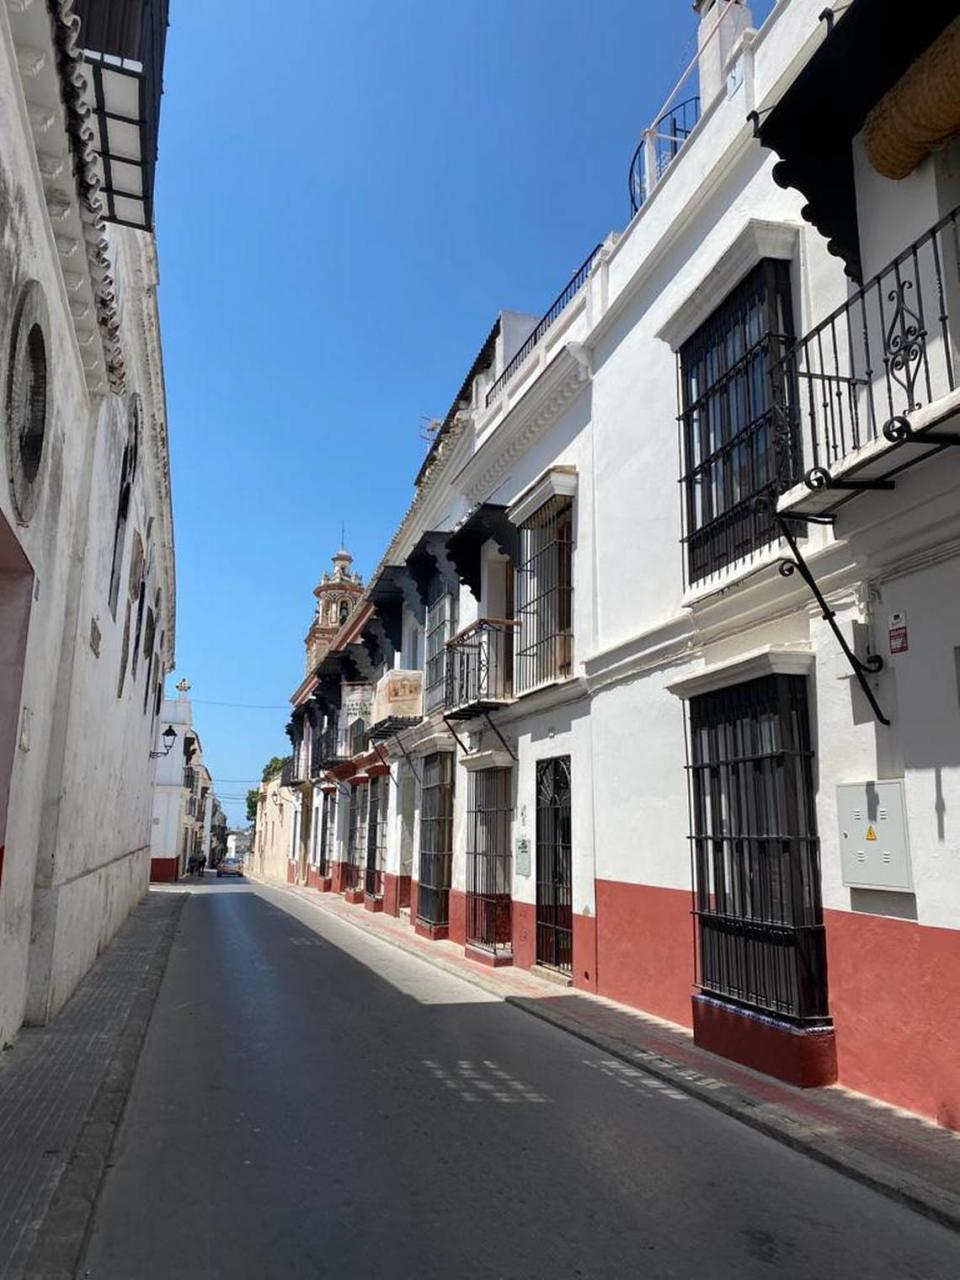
<point x="314" y="1103"/>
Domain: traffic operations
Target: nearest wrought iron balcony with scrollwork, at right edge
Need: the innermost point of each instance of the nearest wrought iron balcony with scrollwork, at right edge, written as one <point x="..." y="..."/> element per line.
<point x="872" y="390"/>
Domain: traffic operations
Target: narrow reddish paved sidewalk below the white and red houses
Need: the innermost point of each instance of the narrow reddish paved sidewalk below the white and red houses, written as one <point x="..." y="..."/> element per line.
<point x="897" y="1154"/>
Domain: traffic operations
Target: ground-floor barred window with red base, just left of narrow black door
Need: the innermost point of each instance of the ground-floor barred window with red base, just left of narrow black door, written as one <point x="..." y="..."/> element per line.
<point x="490" y="862"/>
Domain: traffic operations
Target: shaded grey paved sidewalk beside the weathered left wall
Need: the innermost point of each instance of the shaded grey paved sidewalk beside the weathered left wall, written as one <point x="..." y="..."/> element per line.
<point x="63" y="1089"/>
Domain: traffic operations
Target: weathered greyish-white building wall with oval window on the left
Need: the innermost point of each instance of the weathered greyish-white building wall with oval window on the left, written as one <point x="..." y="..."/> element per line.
<point x="88" y="584"/>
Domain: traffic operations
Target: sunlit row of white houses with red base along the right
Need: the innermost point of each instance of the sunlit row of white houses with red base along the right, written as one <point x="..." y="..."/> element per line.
<point x="657" y="684"/>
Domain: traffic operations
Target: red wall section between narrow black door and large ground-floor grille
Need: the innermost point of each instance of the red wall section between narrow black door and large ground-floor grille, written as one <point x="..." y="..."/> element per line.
<point x="646" y="948"/>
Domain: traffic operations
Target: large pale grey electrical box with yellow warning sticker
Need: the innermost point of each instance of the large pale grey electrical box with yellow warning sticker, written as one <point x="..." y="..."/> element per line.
<point x="874" y="847"/>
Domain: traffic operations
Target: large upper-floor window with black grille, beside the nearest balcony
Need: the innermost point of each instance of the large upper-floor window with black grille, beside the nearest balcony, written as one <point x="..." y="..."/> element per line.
<point x="735" y="450"/>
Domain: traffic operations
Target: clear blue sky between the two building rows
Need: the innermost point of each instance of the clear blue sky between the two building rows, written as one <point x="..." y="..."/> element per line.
<point x="348" y="195"/>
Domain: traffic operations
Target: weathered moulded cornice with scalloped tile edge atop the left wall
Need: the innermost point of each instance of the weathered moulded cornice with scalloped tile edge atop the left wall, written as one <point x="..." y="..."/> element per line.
<point x="49" y="62"/>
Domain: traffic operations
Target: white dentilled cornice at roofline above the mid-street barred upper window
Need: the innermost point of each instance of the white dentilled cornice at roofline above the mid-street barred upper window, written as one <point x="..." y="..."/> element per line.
<point x="543" y="404"/>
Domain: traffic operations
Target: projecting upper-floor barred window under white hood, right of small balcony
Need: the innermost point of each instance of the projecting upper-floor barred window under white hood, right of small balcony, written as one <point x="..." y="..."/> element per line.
<point x="545" y="614"/>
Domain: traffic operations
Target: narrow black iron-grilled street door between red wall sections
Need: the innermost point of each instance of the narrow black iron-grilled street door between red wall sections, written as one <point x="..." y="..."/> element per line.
<point x="555" y="866"/>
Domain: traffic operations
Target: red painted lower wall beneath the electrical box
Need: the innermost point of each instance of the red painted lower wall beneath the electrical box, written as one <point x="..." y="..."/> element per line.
<point x="895" y="1002"/>
